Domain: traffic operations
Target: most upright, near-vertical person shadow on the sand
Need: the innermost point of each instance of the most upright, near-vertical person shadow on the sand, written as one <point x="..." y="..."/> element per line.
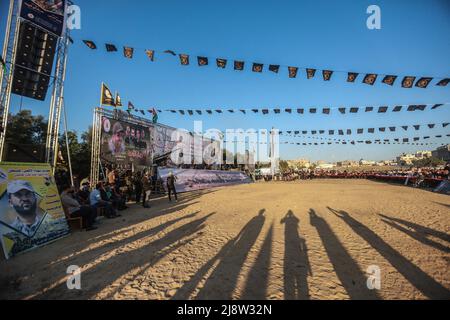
<point x="296" y="262"/>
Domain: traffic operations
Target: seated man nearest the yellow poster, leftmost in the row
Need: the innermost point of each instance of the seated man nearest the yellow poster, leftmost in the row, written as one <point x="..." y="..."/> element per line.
<point x="76" y="210"/>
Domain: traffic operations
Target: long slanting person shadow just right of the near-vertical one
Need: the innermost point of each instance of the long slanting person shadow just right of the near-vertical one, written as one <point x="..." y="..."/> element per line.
<point x="347" y="270"/>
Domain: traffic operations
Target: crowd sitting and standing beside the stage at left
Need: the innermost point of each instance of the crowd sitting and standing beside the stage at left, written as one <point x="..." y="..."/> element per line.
<point x="111" y="196"/>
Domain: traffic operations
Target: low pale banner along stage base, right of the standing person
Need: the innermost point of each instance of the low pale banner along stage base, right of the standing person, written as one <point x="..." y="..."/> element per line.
<point x="191" y="179"/>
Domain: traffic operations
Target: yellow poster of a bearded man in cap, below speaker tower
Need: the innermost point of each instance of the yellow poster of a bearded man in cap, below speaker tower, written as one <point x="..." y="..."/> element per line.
<point x="31" y="214"/>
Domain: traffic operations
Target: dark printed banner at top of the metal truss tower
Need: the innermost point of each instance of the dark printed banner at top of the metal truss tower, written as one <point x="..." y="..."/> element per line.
<point x="47" y="14"/>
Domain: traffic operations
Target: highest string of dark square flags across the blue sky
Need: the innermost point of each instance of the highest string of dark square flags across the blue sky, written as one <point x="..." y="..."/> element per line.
<point x="370" y="78"/>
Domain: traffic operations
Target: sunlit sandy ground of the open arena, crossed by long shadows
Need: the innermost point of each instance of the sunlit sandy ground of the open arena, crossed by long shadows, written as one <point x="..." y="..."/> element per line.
<point x="299" y="240"/>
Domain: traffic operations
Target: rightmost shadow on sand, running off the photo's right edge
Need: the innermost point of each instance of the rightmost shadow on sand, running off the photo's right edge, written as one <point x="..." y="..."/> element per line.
<point x="419" y="233"/>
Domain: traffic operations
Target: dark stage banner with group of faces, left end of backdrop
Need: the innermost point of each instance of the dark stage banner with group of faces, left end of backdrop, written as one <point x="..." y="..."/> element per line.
<point x="124" y="143"/>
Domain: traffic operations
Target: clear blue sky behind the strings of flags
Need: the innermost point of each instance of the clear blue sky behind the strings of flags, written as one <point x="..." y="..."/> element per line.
<point x="323" y="34"/>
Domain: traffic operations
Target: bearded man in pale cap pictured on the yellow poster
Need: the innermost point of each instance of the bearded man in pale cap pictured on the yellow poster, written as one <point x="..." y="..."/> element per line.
<point x="23" y="199"/>
